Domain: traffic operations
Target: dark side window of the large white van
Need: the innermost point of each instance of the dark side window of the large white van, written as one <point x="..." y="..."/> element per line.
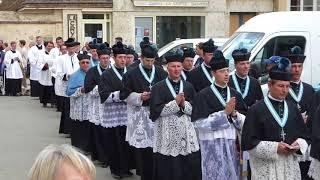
<point x="278" y="46"/>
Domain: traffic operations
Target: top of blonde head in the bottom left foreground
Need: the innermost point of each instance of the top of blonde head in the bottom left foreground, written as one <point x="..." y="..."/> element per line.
<point x="62" y="162"/>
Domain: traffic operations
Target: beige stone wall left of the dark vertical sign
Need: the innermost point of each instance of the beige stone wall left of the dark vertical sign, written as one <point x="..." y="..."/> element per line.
<point x="28" y="25"/>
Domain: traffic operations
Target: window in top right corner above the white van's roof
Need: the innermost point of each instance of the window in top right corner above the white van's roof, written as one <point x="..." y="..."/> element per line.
<point x="304" y="5"/>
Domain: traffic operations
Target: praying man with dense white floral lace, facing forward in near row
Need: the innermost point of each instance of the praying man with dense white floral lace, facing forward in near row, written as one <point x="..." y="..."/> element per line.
<point x="176" y="148"/>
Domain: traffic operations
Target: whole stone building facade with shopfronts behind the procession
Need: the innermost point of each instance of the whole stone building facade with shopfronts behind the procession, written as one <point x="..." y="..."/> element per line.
<point x="103" y="20"/>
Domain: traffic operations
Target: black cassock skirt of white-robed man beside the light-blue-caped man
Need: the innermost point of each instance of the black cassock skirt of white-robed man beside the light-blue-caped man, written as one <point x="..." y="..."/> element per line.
<point x="65" y="120"/>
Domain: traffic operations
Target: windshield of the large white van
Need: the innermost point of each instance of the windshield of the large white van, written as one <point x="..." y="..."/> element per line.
<point x="246" y="40"/>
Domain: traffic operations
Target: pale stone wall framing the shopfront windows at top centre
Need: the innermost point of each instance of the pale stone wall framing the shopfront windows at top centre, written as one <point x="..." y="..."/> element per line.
<point x="216" y="15"/>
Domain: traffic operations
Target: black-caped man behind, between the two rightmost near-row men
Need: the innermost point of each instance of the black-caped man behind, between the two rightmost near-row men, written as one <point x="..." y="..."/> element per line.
<point x="247" y="86"/>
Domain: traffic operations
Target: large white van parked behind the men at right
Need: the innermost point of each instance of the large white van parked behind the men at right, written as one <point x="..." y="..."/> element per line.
<point x="274" y="33"/>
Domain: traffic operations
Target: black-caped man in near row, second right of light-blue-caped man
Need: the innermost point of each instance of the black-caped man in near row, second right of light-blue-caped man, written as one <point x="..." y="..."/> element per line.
<point x="114" y="113"/>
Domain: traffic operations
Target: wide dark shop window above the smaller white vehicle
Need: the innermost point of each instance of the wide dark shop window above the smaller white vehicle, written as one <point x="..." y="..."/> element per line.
<point x="170" y="28"/>
